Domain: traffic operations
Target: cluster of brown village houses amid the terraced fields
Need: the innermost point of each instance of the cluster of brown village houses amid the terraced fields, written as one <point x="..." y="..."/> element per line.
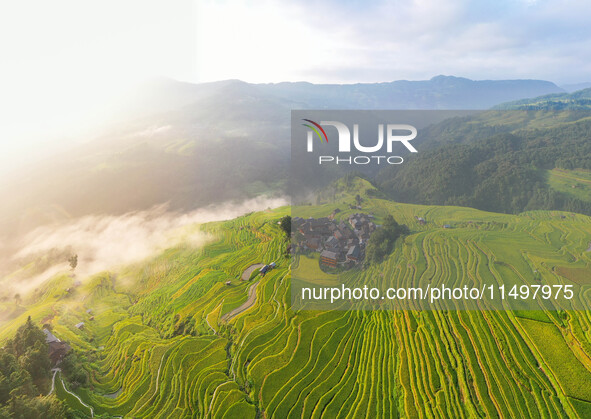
<point x="338" y="242"/>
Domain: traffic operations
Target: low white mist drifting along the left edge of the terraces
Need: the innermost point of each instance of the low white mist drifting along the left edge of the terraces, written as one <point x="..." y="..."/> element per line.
<point x="103" y="242"/>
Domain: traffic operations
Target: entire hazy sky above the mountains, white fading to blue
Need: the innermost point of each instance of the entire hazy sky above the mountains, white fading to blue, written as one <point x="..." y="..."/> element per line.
<point x="61" y="61"/>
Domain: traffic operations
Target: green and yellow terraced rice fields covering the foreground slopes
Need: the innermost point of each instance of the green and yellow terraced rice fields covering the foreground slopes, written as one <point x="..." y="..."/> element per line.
<point x="157" y="339"/>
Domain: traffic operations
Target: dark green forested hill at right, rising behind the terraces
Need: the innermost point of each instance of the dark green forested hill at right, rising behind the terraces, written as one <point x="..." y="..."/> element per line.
<point x="496" y="167"/>
